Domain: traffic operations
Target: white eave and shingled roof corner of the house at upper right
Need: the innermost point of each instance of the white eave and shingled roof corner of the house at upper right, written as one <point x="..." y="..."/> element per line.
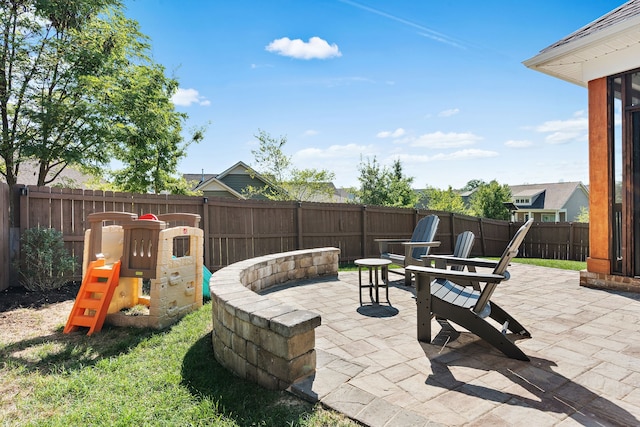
<point x="607" y="46"/>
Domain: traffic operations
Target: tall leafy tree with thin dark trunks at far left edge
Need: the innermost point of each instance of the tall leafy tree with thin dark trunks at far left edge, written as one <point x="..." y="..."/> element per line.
<point x="46" y="106"/>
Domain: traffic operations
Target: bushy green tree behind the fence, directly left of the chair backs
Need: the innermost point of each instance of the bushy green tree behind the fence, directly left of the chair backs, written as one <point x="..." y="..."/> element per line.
<point x="383" y="187"/>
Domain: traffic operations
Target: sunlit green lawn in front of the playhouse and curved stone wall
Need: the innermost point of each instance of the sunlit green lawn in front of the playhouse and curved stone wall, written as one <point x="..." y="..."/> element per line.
<point x="125" y="377"/>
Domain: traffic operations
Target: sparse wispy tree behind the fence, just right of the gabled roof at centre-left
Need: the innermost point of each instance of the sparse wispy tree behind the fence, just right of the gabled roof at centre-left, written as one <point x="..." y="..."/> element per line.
<point x="286" y="181"/>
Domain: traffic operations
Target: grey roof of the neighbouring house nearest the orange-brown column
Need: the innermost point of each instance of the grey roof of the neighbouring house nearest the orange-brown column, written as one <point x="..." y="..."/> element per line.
<point x="551" y="196"/>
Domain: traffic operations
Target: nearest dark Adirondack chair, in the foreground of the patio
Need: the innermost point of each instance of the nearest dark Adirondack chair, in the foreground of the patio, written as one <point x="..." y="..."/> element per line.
<point x="458" y="296"/>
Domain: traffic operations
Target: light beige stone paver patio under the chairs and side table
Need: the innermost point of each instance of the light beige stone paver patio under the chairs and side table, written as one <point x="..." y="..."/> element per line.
<point x="584" y="350"/>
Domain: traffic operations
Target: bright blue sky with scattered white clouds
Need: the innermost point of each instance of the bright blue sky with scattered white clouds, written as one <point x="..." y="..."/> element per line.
<point x="439" y="85"/>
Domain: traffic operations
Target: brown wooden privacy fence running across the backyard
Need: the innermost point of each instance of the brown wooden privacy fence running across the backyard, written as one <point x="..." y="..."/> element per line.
<point x="235" y="230"/>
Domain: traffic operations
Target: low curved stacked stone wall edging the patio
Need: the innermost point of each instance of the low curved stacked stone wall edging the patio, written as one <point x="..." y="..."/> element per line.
<point x="261" y="340"/>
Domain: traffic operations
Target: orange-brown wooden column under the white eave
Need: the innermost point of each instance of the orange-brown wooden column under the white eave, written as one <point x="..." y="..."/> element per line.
<point x="600" y="185"/>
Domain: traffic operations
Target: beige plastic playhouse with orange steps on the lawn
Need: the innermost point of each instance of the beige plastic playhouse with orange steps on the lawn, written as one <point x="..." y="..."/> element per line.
<point x="138" y="271"/>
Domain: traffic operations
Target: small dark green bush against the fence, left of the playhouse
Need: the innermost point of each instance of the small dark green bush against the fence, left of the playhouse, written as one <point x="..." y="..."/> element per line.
<point x="45" y="261"/>
